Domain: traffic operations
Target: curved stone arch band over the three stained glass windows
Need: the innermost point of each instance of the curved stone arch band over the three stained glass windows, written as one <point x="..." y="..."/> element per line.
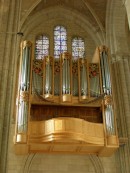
<point x="63" y="12"/>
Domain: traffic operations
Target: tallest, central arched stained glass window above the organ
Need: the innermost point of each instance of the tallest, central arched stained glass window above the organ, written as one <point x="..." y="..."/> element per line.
<point x="60" y="40"/>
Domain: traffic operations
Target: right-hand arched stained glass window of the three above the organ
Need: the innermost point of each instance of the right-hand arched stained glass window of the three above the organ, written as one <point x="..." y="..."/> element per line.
<point x="78" y="48"/>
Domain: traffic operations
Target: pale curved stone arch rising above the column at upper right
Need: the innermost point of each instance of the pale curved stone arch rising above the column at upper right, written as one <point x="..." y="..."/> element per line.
<point x="116" y="30"/>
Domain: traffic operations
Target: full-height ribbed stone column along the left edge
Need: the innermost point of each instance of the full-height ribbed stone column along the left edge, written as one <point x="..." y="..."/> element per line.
<point x="8" y="43"/>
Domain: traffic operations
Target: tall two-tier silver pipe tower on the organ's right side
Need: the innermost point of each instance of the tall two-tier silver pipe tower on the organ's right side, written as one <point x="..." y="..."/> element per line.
<point x="106" y="85"/>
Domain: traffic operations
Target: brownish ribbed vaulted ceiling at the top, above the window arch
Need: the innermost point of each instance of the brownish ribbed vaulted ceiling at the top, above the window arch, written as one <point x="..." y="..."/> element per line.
<point x="94" y="10"/>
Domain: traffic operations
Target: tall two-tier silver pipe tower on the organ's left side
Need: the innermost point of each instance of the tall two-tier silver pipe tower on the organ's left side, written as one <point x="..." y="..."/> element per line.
<point x="24" y="84"/>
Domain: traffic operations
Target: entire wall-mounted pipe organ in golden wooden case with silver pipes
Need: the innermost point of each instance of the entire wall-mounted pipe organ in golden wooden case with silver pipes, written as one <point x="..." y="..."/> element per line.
<point x="65" y="105"/>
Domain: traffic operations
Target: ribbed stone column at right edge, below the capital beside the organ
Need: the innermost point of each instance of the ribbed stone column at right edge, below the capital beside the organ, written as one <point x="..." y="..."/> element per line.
<point x="121" y="93"/>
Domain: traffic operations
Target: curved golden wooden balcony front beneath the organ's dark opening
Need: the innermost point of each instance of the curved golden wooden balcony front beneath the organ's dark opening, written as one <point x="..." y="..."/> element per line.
<point x="66" y="130"/>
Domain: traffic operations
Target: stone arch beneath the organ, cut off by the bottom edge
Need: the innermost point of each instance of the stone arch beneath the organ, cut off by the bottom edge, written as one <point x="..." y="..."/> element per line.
<point x="89" y="163"/>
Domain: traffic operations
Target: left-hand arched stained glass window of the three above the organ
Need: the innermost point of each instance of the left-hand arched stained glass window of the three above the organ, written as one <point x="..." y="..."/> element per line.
<point x="41" y="47"/>
